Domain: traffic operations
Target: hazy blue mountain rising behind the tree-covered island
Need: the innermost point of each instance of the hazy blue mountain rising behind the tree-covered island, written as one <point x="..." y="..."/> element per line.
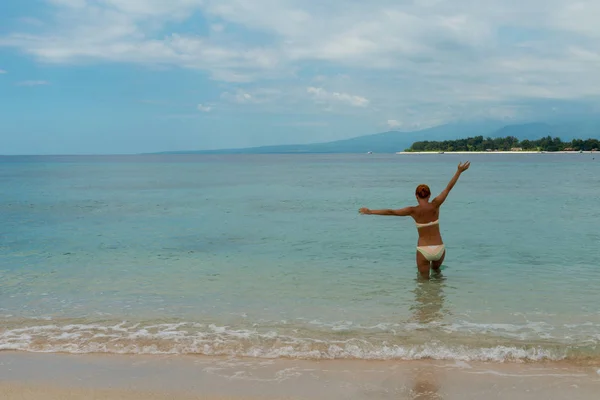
<point x="394" y="141"/>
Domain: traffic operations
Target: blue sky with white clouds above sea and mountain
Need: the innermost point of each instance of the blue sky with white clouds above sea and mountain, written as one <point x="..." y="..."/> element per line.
<point x="135" y="76"/>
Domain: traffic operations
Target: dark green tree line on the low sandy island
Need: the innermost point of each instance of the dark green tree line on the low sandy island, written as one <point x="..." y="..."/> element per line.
<point x="479" y="143"/>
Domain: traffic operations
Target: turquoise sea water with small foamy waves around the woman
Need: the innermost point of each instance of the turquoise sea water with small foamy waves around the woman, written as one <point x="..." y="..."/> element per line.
<point x="267" y="256"/>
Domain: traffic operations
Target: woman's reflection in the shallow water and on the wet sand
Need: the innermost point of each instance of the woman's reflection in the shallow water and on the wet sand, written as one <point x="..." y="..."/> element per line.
<point x="428" y="308"/>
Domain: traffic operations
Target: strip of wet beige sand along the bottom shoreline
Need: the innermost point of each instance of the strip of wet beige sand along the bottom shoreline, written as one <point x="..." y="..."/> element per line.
<point x="29" y="376"/>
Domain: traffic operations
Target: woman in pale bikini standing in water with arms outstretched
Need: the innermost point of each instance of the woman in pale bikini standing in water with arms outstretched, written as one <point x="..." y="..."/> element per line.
<point x="430" y="248"/>
